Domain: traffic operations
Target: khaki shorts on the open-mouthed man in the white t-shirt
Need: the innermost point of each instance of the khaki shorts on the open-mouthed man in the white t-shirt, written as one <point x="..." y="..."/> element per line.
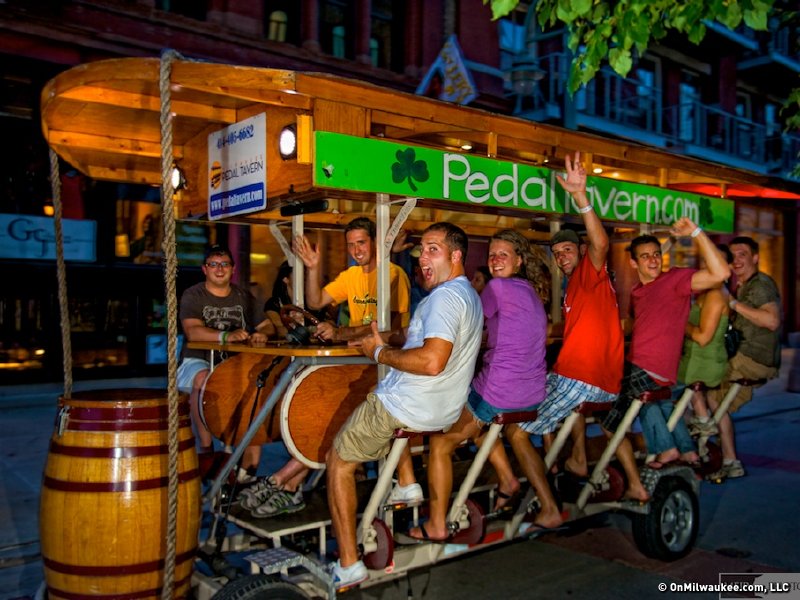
<point x="367" y="435"/>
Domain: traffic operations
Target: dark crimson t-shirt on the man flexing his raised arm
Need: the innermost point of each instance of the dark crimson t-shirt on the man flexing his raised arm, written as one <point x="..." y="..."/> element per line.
<point x="660" y="311"/>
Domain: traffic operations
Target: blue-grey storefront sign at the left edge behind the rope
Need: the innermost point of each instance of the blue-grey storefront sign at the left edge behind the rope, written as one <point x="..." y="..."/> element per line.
<point x="30" y="237"/>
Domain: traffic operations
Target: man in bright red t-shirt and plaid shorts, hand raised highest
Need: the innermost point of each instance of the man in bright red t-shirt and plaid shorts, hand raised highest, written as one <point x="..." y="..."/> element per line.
<point x="592" y="329"/>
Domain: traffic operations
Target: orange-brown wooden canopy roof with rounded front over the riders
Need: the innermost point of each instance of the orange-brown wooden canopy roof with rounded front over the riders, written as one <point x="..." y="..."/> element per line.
<point x="103" y="118"/>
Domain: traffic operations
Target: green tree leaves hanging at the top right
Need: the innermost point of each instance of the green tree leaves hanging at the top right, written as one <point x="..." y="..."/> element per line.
<point x="616" y="31"/>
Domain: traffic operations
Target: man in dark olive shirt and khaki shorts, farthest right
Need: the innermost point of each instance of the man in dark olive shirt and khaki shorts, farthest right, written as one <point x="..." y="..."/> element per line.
<point x="756" y="311"/>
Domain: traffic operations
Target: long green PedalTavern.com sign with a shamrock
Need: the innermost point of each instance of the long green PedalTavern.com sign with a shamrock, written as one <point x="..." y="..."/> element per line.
<point x="367" y="165"/>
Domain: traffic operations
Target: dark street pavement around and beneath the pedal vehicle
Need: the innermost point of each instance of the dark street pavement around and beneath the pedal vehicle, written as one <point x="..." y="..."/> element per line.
<point x="747" y="525"/>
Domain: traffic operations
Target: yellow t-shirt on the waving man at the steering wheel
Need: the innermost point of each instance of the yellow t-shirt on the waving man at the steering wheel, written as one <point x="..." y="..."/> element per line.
<point x="360" y="290"/>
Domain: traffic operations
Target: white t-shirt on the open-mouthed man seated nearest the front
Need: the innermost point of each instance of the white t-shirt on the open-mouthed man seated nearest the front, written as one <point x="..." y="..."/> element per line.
<point x="452" y="312"/>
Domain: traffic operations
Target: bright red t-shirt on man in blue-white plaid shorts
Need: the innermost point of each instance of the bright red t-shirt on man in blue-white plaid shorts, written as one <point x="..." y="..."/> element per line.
<point x="593" y="348"/>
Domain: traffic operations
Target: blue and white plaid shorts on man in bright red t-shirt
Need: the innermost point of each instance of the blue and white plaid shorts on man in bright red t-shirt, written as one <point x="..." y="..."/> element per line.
<point x="563" y="395"/>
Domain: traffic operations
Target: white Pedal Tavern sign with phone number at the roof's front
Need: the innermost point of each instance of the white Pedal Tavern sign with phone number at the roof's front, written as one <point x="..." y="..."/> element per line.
<point x="237" y="168"/>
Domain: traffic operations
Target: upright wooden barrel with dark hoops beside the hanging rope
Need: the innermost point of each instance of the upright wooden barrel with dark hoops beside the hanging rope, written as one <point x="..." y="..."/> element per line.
<point x="103" y="512"/>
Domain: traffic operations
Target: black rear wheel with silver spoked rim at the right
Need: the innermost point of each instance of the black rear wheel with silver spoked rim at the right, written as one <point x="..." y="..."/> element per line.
<point x="668" y="531"/>
